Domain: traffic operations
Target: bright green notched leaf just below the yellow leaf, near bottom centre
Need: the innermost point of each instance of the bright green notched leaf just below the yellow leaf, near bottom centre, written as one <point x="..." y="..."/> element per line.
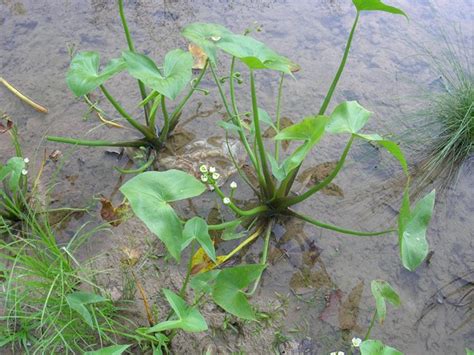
<point x="228" y="292"/>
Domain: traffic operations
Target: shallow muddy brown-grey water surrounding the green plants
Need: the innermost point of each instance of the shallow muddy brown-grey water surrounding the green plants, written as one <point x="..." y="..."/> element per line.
<point x="324" y="278"/>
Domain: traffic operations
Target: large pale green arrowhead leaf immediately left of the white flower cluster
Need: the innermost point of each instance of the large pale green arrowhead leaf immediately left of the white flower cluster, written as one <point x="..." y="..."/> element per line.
<point x="150" y="193"/>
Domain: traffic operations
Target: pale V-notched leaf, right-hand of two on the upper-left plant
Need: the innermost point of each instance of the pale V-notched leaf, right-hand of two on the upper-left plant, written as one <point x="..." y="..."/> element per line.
<point x="177" y="71"/>
